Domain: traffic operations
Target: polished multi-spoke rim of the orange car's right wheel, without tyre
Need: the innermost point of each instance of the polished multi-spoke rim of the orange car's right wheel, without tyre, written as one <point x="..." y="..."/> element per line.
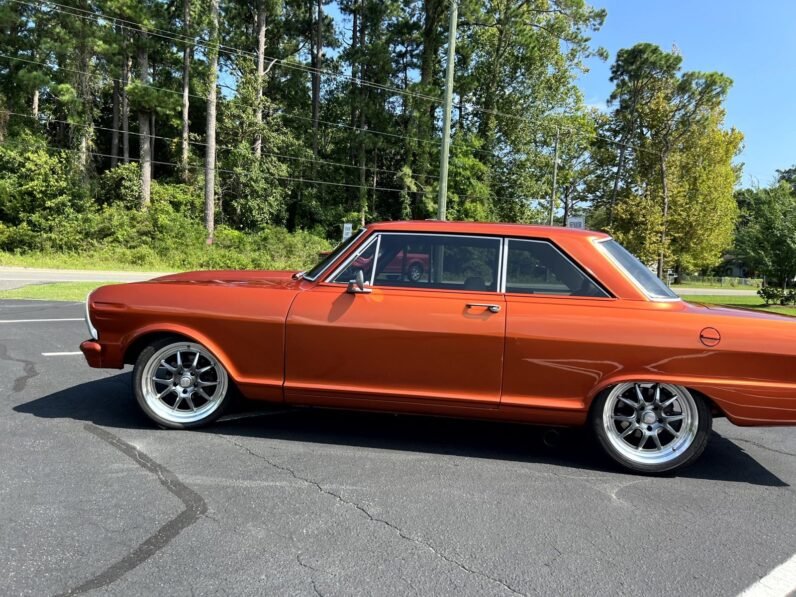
<point x="650" y="423"/>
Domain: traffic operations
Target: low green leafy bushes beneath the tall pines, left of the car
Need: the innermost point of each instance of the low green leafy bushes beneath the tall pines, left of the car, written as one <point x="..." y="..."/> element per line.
<point x="46" y="209"/>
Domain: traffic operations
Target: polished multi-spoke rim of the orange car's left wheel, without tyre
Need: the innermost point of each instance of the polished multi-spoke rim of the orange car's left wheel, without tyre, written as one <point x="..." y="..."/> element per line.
<point x="183" y="383"/>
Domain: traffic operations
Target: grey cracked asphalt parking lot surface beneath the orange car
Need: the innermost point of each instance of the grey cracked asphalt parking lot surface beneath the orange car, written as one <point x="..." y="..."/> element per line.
<point x="308" y="502"/>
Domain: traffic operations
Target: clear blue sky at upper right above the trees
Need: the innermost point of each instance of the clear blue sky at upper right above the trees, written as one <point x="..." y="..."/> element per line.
<point x="754" y="43"/>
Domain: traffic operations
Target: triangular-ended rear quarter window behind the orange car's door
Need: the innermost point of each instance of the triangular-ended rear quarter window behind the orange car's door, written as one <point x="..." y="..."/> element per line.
<point x="537" y="267"/>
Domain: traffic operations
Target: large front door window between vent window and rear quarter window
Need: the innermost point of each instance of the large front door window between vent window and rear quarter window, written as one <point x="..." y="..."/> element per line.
<point x="443" y="262"/>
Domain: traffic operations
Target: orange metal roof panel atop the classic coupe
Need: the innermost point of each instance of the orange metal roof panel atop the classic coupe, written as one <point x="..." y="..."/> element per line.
<point x="531" y="231"/>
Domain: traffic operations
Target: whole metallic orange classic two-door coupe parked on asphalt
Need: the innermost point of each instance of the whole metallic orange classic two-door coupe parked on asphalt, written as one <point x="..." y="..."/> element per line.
<point x="551" y="326"/>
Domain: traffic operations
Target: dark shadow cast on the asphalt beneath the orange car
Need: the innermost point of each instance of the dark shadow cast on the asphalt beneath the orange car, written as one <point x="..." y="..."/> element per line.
<point x="108" y="402"/>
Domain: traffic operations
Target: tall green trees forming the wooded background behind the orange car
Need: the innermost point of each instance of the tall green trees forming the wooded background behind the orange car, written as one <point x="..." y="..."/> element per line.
<point x="234" y="117"/>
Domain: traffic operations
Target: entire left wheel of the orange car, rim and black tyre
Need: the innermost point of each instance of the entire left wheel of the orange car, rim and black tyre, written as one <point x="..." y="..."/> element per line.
<point x="180" y="384"/>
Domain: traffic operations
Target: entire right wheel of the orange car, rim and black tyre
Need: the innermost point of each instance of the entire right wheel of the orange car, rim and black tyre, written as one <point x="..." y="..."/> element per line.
<point x="651" y="427"/>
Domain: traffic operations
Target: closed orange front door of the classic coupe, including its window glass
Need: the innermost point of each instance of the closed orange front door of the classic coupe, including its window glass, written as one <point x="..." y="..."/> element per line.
<point x="430" y="329"/>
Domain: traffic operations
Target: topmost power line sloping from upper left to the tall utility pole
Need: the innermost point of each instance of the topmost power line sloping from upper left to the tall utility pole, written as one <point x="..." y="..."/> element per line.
<point x="178" y="37"/>
